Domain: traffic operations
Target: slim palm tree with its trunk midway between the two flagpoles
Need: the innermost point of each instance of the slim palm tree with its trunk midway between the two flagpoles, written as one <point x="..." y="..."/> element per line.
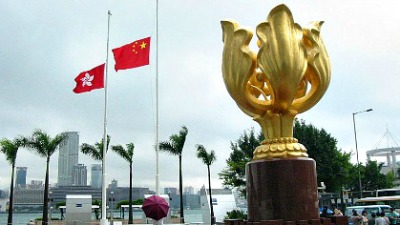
<point x="127" y="154"/>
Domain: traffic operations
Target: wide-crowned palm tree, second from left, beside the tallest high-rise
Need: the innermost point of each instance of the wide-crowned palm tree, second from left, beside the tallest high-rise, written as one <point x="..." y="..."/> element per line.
<point x="45" y="146"/>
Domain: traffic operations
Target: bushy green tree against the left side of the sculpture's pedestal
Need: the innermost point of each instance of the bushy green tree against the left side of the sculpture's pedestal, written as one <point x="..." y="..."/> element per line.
<point x="234" y="175"/>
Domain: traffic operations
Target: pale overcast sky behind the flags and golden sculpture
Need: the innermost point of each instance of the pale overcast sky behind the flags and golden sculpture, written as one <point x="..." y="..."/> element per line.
<point x="44" y="45"/>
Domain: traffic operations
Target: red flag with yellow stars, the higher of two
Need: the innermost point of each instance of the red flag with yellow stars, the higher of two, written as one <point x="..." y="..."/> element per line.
<point x="132" y="55"/>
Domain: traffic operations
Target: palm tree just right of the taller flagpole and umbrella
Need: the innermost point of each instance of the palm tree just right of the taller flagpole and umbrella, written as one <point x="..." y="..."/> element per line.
<point x="175" y="147"/>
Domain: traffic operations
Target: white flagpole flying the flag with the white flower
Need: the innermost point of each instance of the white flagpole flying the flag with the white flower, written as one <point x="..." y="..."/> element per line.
<point x="103" y="220"/>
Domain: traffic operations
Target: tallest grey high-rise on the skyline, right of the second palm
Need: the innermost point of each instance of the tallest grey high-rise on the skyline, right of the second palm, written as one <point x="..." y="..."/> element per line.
<point x="67" y="159"/>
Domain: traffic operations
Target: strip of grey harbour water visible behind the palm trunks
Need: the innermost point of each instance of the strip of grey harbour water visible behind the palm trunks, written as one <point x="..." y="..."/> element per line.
<point x="23" y="218"/>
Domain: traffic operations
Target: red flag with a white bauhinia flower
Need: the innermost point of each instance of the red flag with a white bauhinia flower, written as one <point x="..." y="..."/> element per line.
<point x="90" y="80"/>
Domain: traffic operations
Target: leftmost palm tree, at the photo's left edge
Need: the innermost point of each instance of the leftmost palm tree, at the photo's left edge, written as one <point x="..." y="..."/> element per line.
<point x="10" y="148"/>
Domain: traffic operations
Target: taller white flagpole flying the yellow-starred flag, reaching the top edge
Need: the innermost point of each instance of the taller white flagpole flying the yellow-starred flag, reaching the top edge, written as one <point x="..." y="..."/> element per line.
<point x="157" y="125"/>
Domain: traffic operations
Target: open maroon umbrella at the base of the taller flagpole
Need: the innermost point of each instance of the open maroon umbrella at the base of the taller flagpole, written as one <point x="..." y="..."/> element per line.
<point x="155" y="207"/>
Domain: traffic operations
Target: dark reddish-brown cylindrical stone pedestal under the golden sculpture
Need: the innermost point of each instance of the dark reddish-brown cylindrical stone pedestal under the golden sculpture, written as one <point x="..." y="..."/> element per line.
<point x="282" y="189"/>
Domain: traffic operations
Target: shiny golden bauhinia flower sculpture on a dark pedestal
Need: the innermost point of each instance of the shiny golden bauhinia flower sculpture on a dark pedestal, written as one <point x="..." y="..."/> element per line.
<point x="289" y="75"/>
